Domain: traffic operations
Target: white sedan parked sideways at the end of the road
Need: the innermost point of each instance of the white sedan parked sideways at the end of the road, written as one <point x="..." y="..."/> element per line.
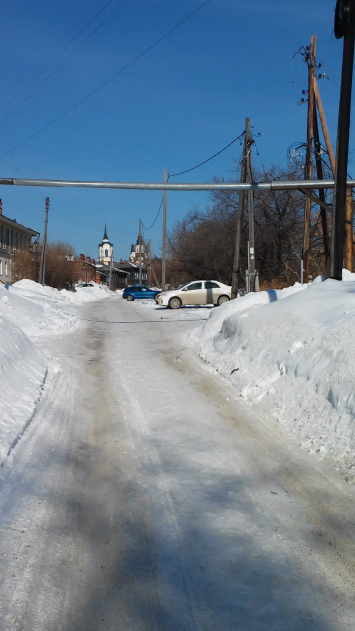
<point x="201" y="292"/>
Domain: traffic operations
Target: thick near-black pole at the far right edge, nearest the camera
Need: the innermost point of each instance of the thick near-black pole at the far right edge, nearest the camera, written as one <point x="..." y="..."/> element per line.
<point x="344" y="26"/>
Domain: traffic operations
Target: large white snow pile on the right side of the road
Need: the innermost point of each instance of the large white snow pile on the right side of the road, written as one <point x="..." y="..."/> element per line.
<point x="292" y="352"/>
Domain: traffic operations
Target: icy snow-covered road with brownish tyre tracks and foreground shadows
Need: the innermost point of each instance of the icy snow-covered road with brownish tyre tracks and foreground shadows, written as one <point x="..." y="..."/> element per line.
<point x="144" y="497"/>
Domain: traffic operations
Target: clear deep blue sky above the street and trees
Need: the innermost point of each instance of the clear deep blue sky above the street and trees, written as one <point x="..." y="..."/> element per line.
<point x="171" y="109"/>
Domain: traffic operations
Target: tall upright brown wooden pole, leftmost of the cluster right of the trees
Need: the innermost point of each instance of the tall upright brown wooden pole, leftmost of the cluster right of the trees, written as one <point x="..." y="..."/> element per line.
<point x="308" y="165"/>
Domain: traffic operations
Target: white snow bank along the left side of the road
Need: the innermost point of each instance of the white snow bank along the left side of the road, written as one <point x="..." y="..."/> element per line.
<point x="27" y="312"/>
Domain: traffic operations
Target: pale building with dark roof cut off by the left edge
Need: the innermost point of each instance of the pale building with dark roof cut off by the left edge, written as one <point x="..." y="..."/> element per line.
<point x="14" y="238"/>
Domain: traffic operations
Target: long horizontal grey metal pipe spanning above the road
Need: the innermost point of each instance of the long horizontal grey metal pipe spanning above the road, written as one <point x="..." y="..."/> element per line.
<point x="276" y="185"/>
